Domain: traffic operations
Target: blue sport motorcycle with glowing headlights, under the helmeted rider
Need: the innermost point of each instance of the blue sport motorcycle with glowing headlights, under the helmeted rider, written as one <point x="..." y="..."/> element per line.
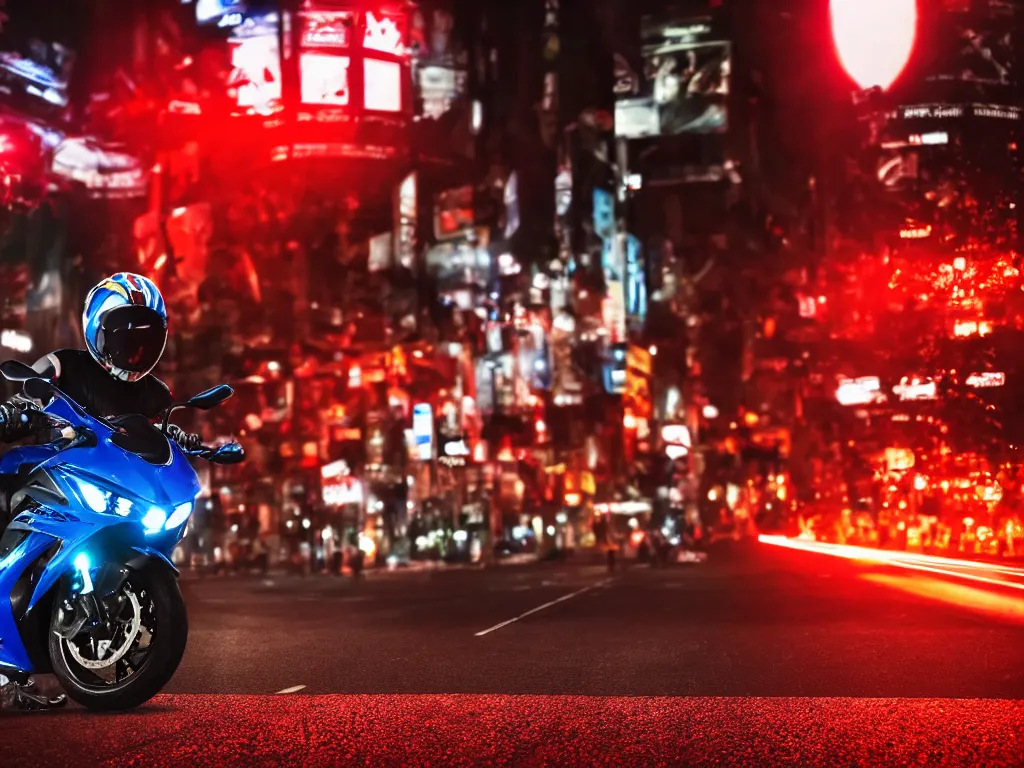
<point x="88" y="587"/>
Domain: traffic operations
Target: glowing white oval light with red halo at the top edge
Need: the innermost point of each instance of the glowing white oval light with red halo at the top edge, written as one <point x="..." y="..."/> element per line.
<point x="874" y="38"/>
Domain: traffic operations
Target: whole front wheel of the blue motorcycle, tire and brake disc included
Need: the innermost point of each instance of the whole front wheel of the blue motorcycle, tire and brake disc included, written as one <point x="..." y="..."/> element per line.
<point x="131" y="657"/>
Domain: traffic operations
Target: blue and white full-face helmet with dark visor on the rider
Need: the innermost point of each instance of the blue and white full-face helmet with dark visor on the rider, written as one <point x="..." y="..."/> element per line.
<point x="125" y="325"/>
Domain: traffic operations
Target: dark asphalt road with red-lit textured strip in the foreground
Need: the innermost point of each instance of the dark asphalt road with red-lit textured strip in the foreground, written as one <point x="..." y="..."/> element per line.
<point x="762" y="656"/>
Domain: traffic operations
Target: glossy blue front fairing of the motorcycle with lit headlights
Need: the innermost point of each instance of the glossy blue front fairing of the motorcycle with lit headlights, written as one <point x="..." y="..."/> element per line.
<point x="62" y="525"/>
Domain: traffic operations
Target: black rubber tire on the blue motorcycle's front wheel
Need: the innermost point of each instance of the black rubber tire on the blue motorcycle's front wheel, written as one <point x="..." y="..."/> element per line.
<point x="163" y="658"/>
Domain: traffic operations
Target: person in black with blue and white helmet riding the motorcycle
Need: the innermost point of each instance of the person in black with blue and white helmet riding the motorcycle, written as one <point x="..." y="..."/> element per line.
<point x="125" y="328"/>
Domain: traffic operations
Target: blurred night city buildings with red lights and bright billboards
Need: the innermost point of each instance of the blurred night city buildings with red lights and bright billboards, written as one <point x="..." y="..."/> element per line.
<point x="619" y="258"/>
